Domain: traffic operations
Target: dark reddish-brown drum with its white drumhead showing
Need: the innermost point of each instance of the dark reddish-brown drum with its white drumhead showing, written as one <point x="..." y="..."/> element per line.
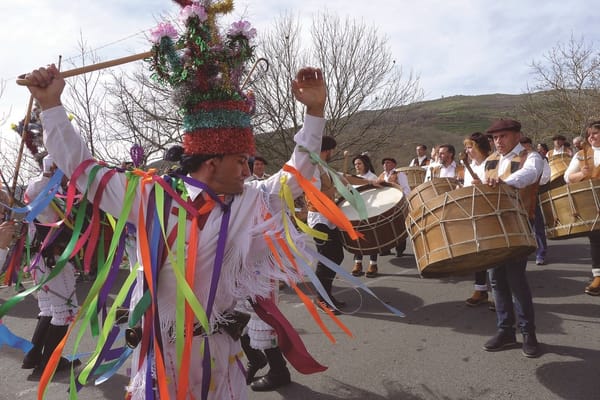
<point x="384" y="227"/>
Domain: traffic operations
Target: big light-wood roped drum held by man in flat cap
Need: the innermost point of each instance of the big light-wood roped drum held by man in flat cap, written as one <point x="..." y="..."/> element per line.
<point x="469" y="229"/>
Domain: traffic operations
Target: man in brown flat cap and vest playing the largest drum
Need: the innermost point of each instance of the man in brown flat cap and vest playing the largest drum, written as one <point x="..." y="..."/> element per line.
<point x="514" y="165"/>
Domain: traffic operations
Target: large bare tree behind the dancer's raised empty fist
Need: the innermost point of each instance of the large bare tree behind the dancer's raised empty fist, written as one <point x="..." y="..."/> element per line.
<point x="365" y="85"/>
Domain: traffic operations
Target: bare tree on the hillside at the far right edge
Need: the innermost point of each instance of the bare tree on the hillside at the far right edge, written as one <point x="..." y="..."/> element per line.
<point x="566" y="91"/>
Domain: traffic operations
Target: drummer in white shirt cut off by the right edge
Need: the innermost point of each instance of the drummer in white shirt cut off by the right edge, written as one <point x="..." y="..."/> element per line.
<point x="586" y="165"/>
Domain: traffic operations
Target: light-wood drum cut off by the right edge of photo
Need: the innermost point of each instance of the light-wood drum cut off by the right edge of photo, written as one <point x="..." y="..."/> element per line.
<point x="571" y="210"/>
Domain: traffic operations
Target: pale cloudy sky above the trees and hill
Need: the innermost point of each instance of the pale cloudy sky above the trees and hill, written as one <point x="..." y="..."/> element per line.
<point x="457" y="47"/>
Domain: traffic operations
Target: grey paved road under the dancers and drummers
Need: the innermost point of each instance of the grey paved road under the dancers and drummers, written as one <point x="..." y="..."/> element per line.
<point x="433" y="353"/>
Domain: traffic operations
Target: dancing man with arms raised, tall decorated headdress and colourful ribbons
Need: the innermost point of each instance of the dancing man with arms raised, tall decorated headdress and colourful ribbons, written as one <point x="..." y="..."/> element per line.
<point x="228" y="258"/>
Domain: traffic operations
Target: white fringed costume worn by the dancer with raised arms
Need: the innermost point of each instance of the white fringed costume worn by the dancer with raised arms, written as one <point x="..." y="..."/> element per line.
<point x="247" y="269"/>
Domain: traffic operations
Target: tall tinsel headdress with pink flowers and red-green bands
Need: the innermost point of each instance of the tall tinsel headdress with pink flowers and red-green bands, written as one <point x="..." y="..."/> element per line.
<point x="204" y="67"/>
